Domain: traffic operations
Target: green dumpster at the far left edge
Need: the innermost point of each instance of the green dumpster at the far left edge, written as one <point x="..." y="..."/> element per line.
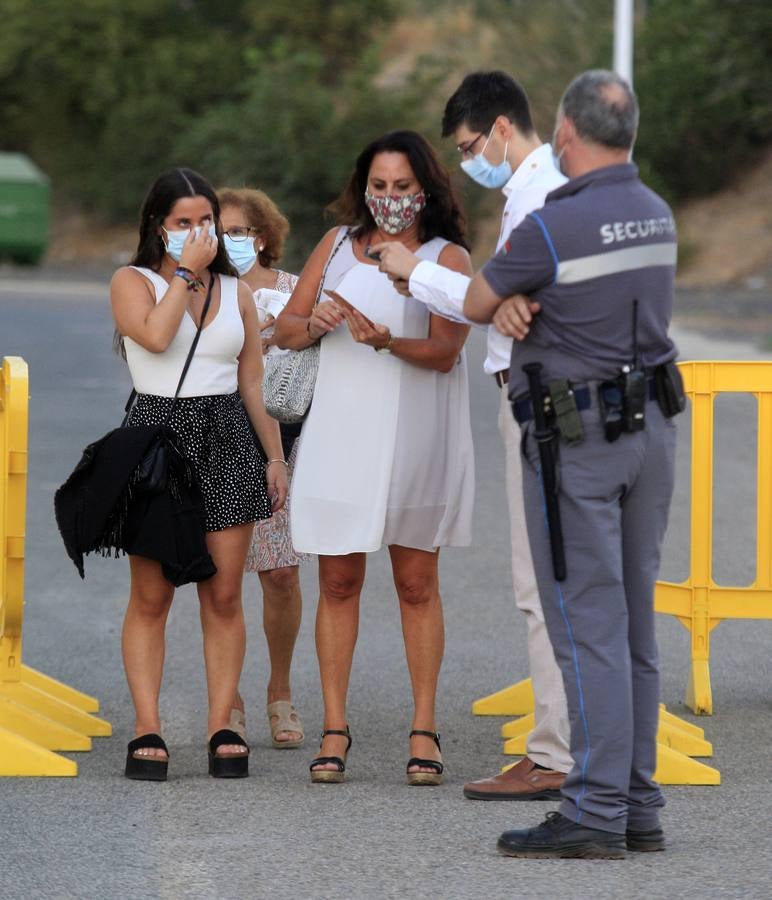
<point x="24" y="204"/>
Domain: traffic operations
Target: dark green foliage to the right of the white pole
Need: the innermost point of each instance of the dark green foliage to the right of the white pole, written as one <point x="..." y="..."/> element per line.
<point x="704" y="70"/>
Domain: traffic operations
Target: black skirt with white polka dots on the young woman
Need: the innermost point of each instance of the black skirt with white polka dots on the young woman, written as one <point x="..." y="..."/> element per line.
<point x="217" y="438"/>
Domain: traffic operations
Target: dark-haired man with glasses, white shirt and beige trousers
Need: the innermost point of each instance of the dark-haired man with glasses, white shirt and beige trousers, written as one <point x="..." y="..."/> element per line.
<point x="489" y="119"/>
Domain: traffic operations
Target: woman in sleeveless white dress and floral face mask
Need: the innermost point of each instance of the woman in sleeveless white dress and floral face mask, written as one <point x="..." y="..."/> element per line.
<point x="385" y="457"/>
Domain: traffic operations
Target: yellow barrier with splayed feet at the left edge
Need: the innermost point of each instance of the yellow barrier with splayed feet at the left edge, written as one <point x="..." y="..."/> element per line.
<point x="37" y="714"/>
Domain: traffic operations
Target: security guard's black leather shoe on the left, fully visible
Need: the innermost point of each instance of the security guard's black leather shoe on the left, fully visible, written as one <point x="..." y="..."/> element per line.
<point x="559" y="838"/>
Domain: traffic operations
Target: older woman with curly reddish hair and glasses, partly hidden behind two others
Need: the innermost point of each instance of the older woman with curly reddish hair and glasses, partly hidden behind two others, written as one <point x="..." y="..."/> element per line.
<point x="255" y="232"/>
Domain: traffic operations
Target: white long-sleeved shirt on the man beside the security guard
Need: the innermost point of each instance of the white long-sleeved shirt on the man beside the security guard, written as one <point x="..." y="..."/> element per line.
<point x="443" y="290"/>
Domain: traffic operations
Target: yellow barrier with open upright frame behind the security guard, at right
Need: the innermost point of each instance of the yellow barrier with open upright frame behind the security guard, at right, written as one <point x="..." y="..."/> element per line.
<point x="699" y="603"/>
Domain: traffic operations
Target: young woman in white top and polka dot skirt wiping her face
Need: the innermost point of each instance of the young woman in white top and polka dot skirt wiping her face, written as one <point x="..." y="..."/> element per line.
<point x="157" y="303"/>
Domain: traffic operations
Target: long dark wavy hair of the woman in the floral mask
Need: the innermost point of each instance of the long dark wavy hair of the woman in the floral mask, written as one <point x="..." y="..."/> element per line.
<point x="441" y="217"/>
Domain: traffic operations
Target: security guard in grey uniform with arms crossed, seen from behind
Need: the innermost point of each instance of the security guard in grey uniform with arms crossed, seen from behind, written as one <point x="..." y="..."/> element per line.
<point x="593" y="387"/>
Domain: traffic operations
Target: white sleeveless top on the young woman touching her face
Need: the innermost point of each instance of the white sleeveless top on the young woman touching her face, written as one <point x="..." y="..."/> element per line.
<point x="214" y="367"/>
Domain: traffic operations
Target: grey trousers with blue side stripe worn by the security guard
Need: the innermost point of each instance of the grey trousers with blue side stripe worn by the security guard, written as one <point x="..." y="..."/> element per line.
<point x="613" y="503"/>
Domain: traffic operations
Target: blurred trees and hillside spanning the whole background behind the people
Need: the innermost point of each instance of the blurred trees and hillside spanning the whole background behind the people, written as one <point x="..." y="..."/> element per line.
<point x="105" y="94"/>
